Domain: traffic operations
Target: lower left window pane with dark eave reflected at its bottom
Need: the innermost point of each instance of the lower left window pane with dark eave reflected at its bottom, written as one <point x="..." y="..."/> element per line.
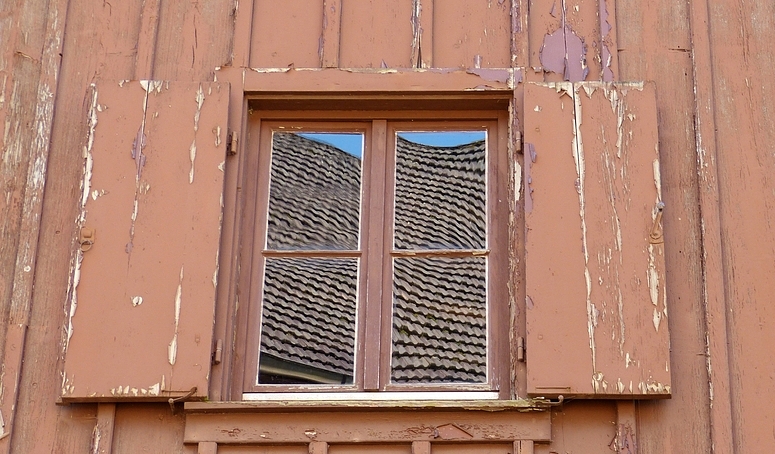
<point x="308" y="321"/>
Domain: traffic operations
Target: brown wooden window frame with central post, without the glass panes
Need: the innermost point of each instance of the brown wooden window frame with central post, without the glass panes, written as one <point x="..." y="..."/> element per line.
<point x="374" y="319"/>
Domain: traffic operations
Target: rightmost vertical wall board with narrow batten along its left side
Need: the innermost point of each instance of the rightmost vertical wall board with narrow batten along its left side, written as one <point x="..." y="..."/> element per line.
<point x="741" y="66"/>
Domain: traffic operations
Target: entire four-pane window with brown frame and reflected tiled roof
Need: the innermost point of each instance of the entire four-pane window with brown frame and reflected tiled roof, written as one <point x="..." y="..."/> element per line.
<point x="378" y="257"/>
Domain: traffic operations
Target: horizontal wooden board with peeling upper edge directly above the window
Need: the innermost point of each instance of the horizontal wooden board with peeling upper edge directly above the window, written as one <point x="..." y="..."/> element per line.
<point x="385" y="81"/>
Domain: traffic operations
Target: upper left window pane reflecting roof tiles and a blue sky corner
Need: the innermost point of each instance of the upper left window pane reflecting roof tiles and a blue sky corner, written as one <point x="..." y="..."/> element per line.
<point x="315" y="191"/>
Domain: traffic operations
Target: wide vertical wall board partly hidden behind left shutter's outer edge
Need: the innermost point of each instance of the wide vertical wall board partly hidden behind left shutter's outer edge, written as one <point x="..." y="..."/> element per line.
<point x="40" y="380"/>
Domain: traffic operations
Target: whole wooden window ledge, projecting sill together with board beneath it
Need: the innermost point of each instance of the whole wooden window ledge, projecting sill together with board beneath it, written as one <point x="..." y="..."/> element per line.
<point x="281" y="423"/>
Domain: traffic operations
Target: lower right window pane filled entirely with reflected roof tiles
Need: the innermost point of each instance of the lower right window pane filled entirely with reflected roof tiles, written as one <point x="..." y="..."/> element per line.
<point x="439" y="320"/>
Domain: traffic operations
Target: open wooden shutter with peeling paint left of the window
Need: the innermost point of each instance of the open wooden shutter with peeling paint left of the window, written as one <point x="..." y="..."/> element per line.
<point x="142" y="298"/>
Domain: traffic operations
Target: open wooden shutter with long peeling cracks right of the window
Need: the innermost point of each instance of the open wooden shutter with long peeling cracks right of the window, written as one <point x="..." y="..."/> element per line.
<point x="595" y="280"/>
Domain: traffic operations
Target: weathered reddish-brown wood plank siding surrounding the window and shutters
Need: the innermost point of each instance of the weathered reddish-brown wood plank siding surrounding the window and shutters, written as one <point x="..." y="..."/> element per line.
<point x="712" y="63"/>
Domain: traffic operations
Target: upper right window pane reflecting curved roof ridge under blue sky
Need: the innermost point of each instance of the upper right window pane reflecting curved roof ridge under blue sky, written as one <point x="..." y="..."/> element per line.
<point x="440" y="194"/>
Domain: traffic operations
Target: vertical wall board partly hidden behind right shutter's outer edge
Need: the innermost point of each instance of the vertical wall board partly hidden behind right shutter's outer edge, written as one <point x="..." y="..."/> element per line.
<point x="655" y="46"/>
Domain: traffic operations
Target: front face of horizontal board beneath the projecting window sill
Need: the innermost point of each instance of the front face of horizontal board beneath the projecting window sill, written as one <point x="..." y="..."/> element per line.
<point x="344" y="427"/>
